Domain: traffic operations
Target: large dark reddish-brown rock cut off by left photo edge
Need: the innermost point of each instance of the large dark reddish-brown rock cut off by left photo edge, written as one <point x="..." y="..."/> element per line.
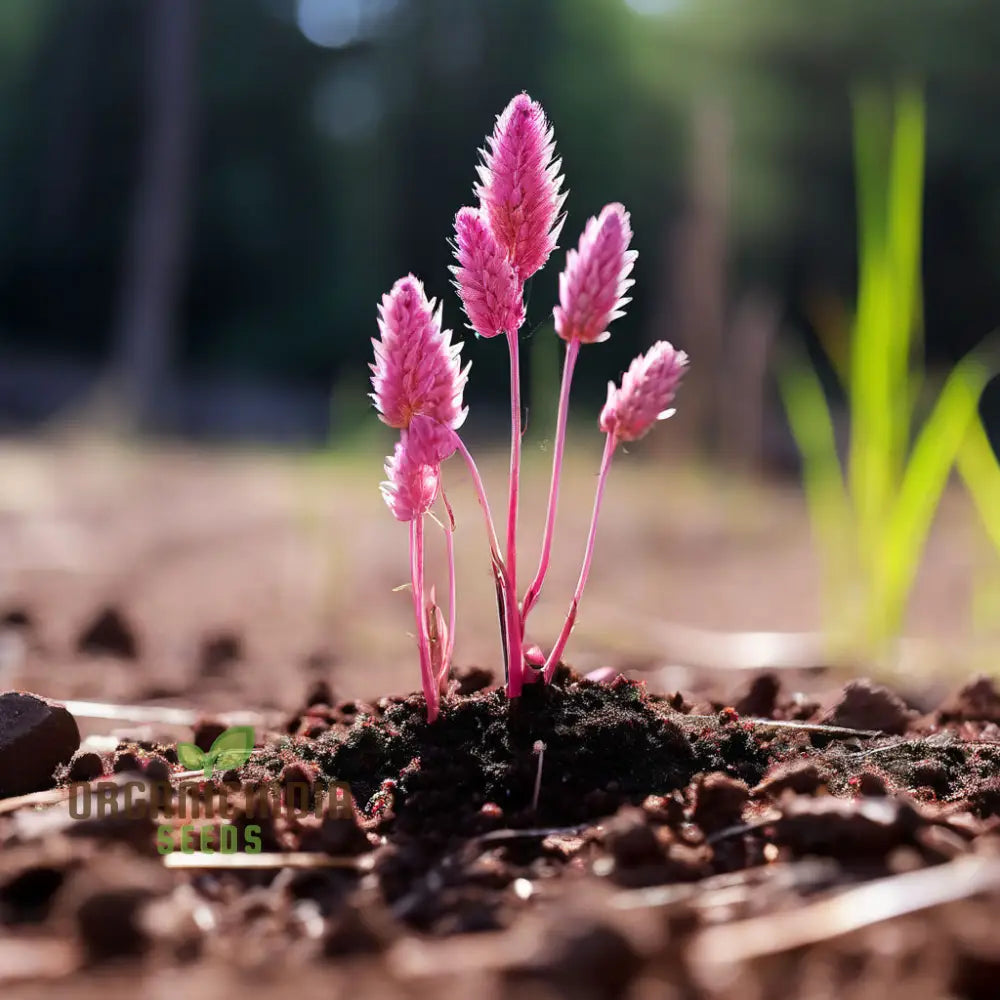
<point x="36" y="736"/>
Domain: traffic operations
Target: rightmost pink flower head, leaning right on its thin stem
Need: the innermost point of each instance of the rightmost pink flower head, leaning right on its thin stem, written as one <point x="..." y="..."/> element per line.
<point x="645" y="394"/>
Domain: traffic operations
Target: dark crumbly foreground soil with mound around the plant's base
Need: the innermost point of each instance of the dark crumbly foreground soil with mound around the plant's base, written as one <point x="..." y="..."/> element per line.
<point x="593" y="840"/>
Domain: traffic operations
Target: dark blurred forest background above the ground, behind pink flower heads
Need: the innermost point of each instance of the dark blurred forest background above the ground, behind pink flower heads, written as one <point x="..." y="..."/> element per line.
<point x="222" y="189"/>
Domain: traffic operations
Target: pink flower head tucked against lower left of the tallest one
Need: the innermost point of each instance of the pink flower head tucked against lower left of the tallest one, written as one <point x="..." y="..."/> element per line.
<point x="486" y="282"/>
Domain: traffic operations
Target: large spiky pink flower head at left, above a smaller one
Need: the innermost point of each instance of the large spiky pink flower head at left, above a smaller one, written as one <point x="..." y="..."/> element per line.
<point x="417" y="369"/>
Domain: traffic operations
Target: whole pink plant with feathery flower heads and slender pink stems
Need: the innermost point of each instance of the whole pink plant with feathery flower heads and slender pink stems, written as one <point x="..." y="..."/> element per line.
<point x="419" y="382"/>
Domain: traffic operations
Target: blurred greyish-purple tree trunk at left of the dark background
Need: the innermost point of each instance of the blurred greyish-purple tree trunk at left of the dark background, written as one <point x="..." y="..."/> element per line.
<point x="153" y="269"/>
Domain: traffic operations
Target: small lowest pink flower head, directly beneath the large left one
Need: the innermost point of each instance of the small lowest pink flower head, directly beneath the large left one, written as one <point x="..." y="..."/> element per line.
<point x="414" y="468"/>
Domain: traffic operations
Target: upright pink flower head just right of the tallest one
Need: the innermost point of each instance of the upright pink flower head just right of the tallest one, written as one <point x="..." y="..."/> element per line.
<point x="593" y="284"/>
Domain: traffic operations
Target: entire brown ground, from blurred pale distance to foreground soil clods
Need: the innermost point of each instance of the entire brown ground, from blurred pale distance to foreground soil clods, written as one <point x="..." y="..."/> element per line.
<point x="701" y="834"/>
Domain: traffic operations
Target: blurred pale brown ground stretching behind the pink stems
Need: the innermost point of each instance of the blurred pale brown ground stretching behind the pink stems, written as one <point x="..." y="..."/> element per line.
<point x="297" y="559"/>
